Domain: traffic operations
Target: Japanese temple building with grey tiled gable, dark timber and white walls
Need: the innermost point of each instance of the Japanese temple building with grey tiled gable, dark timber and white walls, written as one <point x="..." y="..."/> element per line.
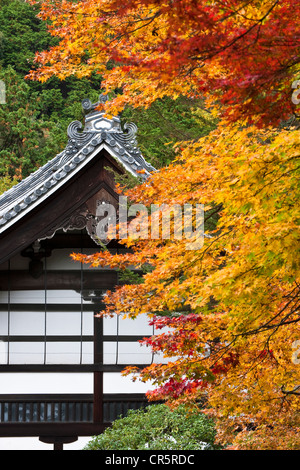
<point x="60" y="365"/>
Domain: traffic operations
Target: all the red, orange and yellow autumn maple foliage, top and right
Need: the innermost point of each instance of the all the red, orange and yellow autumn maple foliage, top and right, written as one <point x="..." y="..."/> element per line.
<point x="228" y="312"/>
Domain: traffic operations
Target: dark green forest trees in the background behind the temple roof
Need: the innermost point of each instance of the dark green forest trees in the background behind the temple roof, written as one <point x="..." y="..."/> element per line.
<point x="34" y="120"/>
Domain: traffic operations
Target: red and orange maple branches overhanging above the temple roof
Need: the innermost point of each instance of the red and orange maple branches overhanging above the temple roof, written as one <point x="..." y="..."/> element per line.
<point x="237" y="53"/>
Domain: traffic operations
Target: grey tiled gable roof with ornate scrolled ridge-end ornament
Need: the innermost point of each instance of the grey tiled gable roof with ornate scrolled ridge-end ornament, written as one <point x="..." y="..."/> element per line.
<point x="83" y="145"/>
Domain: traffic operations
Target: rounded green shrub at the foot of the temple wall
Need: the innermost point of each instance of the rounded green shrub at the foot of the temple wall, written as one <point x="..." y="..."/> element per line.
<point x="158" y="428"/>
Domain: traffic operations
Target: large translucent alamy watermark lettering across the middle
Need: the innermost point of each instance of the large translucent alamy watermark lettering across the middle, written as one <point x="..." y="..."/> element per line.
<point x="163" y="222"/>
